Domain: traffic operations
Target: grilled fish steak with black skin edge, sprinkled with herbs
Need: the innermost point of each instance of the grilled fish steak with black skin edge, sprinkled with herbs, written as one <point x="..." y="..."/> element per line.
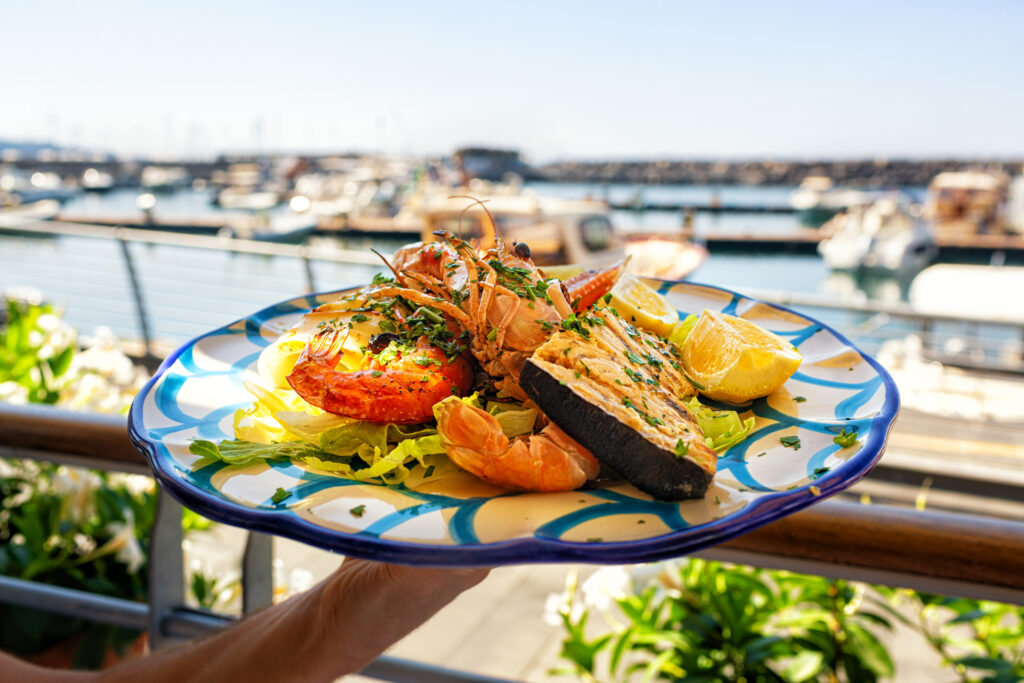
<point x="620" y="393"/>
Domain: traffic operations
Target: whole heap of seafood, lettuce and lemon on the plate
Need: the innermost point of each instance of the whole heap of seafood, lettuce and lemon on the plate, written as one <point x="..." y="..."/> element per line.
<point x="572" y="378"/>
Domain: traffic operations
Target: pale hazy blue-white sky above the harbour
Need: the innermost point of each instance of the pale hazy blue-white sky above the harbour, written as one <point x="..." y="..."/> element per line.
<point x="556" y="79"/>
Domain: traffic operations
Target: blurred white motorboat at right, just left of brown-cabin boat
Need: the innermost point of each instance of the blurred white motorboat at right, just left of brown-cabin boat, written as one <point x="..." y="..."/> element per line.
<point x="886" y="236"/>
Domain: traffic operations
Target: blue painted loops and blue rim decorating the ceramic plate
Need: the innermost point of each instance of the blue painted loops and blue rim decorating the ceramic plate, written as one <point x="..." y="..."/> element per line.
<point x="196" y="488"/>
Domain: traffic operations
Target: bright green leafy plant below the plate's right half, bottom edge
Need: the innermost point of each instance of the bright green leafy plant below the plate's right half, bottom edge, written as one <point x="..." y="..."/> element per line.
<point x="708" y="622"/>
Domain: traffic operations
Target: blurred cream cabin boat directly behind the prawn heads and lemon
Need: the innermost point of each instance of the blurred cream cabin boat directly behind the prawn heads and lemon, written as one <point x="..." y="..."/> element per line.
<point x="558" y="231"/>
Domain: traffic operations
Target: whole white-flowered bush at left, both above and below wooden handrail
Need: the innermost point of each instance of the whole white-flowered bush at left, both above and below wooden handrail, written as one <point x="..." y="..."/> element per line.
<point x="68" y="527"/>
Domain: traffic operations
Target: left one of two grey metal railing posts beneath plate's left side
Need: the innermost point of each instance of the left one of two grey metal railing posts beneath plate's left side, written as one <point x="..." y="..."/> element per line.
<point x="167" y="581"/>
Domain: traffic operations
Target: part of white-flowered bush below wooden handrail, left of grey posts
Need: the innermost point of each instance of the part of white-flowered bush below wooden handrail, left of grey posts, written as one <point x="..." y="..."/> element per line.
<point x="72" y="529"/>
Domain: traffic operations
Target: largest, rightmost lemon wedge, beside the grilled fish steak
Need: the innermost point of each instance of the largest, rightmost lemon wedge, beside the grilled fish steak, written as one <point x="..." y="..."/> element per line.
<point x="735" y="360"/>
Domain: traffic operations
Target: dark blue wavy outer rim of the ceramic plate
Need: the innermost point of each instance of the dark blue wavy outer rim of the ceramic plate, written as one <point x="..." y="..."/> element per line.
<point x="529" y="550"/>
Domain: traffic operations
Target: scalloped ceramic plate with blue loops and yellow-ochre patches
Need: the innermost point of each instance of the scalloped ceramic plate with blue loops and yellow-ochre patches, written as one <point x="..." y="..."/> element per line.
<point x="462" y="522"/>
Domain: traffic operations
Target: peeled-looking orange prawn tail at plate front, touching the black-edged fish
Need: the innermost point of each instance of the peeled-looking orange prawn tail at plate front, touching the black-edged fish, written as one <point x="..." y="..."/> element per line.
<point x="549" y="461"/>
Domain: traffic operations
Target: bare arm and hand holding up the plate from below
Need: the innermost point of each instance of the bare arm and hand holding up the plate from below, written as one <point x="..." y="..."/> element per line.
<point x="337" y="628"/>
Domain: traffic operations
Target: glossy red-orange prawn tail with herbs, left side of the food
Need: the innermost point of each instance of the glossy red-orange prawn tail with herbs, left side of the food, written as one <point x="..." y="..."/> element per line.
<point x="402" y="392"/>
